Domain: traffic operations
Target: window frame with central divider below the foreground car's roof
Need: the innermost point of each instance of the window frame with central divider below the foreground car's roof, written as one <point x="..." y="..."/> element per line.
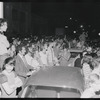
<point x="32" y="89"/>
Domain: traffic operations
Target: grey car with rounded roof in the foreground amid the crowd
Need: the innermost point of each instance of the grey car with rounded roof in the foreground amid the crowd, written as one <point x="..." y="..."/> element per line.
<point x="55" y="82"/>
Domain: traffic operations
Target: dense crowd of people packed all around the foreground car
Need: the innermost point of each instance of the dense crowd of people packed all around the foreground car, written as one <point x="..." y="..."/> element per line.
<point x="22" y="57"/>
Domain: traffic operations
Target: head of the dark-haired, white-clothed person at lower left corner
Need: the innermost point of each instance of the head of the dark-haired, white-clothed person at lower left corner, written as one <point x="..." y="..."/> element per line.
<point x="8" y="64"/>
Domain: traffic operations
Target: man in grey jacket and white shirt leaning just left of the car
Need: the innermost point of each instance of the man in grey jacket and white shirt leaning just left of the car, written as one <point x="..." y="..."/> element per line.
<point x="22" y="68"/>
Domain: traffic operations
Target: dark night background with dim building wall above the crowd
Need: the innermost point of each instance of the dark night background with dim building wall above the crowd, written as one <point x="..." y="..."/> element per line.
<point x="44" y="16"/>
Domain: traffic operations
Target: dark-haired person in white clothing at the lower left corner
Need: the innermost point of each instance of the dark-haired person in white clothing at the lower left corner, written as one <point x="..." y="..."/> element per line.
<point x="9" y="79"/>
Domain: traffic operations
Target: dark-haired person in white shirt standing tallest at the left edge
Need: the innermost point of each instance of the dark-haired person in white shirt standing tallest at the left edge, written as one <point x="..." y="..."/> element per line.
<point x="4" y="43"/>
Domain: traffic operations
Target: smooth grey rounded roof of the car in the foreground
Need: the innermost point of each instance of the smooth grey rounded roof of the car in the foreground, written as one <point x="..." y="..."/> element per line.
<point x="58" y="76"/>
